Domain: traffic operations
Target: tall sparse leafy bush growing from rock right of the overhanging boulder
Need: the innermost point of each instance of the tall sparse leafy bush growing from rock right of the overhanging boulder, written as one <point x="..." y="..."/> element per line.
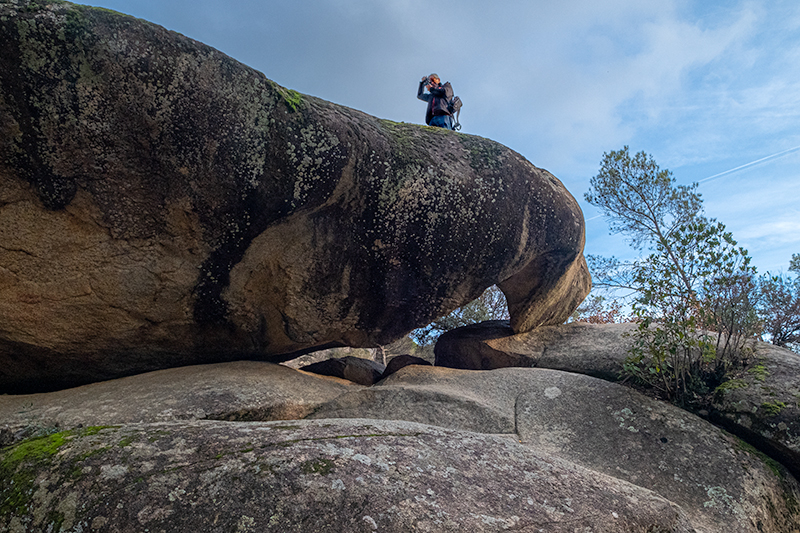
<point x="694" y="293"/>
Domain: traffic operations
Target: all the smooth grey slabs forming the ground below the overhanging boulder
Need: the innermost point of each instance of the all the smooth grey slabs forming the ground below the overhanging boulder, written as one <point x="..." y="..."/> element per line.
<point x="427" y="449"/>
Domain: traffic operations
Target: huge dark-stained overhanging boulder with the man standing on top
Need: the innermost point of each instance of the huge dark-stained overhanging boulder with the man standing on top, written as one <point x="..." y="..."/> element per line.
<point x="162" y="204"/>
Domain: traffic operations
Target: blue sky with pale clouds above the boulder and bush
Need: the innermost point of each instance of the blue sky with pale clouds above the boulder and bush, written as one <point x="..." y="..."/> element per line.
<point x="703" y="86"/>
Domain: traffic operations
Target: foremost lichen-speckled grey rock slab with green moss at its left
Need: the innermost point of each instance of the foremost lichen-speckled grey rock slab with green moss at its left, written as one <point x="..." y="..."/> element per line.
<point x="322" y="476"/>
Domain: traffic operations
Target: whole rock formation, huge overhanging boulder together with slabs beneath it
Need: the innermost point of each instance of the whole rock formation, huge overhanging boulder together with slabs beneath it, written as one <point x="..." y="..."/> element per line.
<point x="163" y="205"/>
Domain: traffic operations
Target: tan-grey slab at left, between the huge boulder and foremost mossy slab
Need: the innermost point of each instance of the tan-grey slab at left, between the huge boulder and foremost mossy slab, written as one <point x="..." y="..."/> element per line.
<point x="241" y="390"/>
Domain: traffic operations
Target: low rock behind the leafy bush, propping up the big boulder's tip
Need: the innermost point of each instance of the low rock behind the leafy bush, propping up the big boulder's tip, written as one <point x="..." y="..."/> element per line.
<point x="762" y="406"/>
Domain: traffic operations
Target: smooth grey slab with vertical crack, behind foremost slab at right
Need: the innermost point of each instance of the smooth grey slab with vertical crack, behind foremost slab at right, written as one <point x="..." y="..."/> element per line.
<point x="723" y="484"/>
